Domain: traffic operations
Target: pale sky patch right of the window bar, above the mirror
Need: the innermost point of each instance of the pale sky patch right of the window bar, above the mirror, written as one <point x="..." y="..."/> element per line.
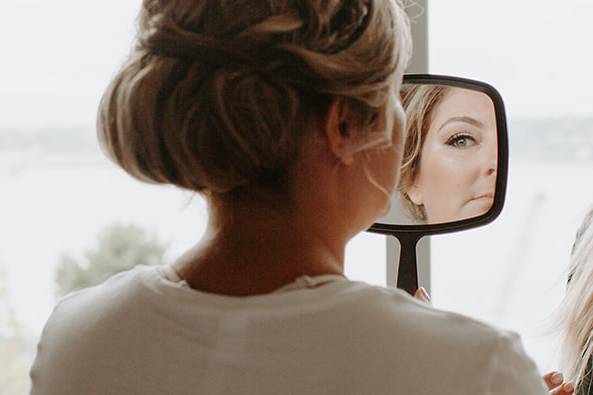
<point x="537" y="53"/>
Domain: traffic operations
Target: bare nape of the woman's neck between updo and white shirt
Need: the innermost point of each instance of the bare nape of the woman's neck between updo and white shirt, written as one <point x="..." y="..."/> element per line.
<point x="252" y="249"/>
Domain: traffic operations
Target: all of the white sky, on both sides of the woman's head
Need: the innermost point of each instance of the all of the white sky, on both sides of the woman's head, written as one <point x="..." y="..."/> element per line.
<point x="59" y="55"/>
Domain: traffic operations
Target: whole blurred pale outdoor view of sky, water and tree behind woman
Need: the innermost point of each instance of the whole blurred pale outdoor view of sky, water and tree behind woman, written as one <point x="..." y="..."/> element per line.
<point x="69" y="218"/>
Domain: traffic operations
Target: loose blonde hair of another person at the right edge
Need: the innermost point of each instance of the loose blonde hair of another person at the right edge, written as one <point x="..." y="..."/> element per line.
<point x="576" y="311"/>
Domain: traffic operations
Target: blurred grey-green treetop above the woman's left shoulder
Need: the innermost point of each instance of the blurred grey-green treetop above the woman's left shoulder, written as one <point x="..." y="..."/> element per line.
<point x="120" y="247"/>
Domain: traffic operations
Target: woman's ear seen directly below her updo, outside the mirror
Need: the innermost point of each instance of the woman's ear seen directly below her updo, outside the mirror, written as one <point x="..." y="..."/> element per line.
<point x="338" y="129"/>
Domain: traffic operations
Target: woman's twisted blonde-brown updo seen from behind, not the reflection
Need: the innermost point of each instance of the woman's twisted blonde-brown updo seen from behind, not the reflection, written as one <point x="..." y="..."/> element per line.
<point x="217" y="94"/>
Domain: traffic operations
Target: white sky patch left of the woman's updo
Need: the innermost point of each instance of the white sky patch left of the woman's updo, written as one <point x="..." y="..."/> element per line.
<point x="58" y="58"/>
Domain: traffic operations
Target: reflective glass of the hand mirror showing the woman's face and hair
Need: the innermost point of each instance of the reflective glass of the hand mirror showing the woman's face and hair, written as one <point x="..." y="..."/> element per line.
<point x="449" y="165"/>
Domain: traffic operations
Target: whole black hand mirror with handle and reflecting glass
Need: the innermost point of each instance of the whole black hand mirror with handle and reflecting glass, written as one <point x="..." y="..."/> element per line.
<point x="455" y="162"/>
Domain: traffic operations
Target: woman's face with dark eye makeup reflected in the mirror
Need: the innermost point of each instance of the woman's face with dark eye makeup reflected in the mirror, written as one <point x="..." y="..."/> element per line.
<point x="458" y="159"/>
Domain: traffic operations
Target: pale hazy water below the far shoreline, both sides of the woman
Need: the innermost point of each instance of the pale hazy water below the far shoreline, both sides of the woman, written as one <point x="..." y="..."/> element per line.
<point x="510" y="273"/>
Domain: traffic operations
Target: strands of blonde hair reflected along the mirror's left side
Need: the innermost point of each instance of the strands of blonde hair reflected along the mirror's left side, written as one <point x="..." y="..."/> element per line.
<point x="419" y="103"/>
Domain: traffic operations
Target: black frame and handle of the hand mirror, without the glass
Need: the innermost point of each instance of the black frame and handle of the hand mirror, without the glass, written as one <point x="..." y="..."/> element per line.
<point x="408" y="235"/>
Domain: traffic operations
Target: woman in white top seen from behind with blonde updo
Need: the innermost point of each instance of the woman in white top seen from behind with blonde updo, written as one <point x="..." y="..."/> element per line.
<point x="284" y="116"/>
